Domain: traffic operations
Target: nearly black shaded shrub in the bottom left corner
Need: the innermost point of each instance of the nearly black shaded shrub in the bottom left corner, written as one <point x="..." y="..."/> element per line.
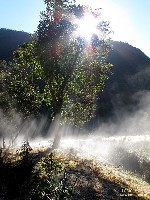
<point x="15" y="171"/>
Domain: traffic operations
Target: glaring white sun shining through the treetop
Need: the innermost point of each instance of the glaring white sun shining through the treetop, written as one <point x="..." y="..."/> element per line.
<point x="87" y="26"/>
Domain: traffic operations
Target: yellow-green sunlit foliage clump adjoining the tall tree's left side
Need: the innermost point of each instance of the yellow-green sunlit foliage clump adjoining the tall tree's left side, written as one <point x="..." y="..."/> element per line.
<point x="24" y="79"/>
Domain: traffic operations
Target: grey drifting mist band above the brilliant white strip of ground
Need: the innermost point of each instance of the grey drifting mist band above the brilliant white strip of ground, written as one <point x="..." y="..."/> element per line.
<point x="127" y="124"/>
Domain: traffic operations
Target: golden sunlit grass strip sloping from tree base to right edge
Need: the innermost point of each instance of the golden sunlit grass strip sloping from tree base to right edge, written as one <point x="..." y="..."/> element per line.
<point x="129" y="182"/>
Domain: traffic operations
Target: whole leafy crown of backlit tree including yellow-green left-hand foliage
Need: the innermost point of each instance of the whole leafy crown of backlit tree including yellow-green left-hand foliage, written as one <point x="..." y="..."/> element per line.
<point x="61" y="69"/>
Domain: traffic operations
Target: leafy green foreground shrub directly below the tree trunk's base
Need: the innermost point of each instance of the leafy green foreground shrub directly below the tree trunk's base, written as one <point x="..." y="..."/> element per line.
<point x="50" y="180"/>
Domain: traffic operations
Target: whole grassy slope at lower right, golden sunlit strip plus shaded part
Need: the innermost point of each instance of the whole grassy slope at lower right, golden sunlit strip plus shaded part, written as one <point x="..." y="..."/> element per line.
<point x="105" y="181"/>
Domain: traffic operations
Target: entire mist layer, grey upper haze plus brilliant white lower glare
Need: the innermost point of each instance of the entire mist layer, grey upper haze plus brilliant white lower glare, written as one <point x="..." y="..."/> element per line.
<point x="119" y="143"/>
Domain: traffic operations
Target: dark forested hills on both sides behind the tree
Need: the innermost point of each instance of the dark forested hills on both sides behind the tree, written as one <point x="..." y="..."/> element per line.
<point x="131" y="73"/>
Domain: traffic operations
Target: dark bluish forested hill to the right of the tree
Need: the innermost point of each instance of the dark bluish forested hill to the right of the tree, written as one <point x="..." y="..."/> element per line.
<point x="130" y="79"/>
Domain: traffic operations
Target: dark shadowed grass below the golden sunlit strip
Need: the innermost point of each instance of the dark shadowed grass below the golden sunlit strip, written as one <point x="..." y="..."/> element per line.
<point x="91" y="186"/>
